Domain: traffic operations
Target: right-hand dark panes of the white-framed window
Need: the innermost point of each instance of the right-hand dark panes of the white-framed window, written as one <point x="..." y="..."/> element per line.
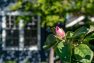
<point x="30" y="34"/>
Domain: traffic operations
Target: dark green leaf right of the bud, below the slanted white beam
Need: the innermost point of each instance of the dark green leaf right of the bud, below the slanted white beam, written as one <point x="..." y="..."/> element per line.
<point x="80" y="33"/>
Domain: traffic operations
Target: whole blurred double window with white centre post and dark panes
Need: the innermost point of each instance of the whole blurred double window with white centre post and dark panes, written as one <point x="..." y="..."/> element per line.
<point x="20" y="38"/>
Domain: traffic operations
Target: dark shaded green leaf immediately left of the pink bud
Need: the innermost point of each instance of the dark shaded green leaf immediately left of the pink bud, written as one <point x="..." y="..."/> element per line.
<point x="50" y="41"/>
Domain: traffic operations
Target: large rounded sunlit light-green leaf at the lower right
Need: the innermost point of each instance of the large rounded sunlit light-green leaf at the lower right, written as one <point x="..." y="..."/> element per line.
<point x="83" y="53"/>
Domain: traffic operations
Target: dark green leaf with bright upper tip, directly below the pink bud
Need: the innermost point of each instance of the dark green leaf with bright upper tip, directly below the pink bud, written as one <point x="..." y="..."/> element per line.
<point x="64" y="52"/>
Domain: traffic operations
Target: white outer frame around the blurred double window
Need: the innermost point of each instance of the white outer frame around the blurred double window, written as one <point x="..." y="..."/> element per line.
<point x="35" y="47"/>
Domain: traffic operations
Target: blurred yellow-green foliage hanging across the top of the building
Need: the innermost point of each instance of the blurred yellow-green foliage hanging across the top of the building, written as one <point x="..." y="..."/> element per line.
<point x="53" y="11"/>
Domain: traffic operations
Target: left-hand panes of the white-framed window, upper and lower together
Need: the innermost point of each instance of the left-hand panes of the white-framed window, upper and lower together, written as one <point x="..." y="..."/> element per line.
<point x="12" y="32"/>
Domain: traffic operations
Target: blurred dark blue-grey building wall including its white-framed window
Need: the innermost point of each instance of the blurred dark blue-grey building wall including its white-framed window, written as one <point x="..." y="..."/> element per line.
<point x="19" y="42"/>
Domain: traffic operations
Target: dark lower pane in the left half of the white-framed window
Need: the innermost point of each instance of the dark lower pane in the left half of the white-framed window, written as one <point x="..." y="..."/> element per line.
<point x="12" y="38"/>
